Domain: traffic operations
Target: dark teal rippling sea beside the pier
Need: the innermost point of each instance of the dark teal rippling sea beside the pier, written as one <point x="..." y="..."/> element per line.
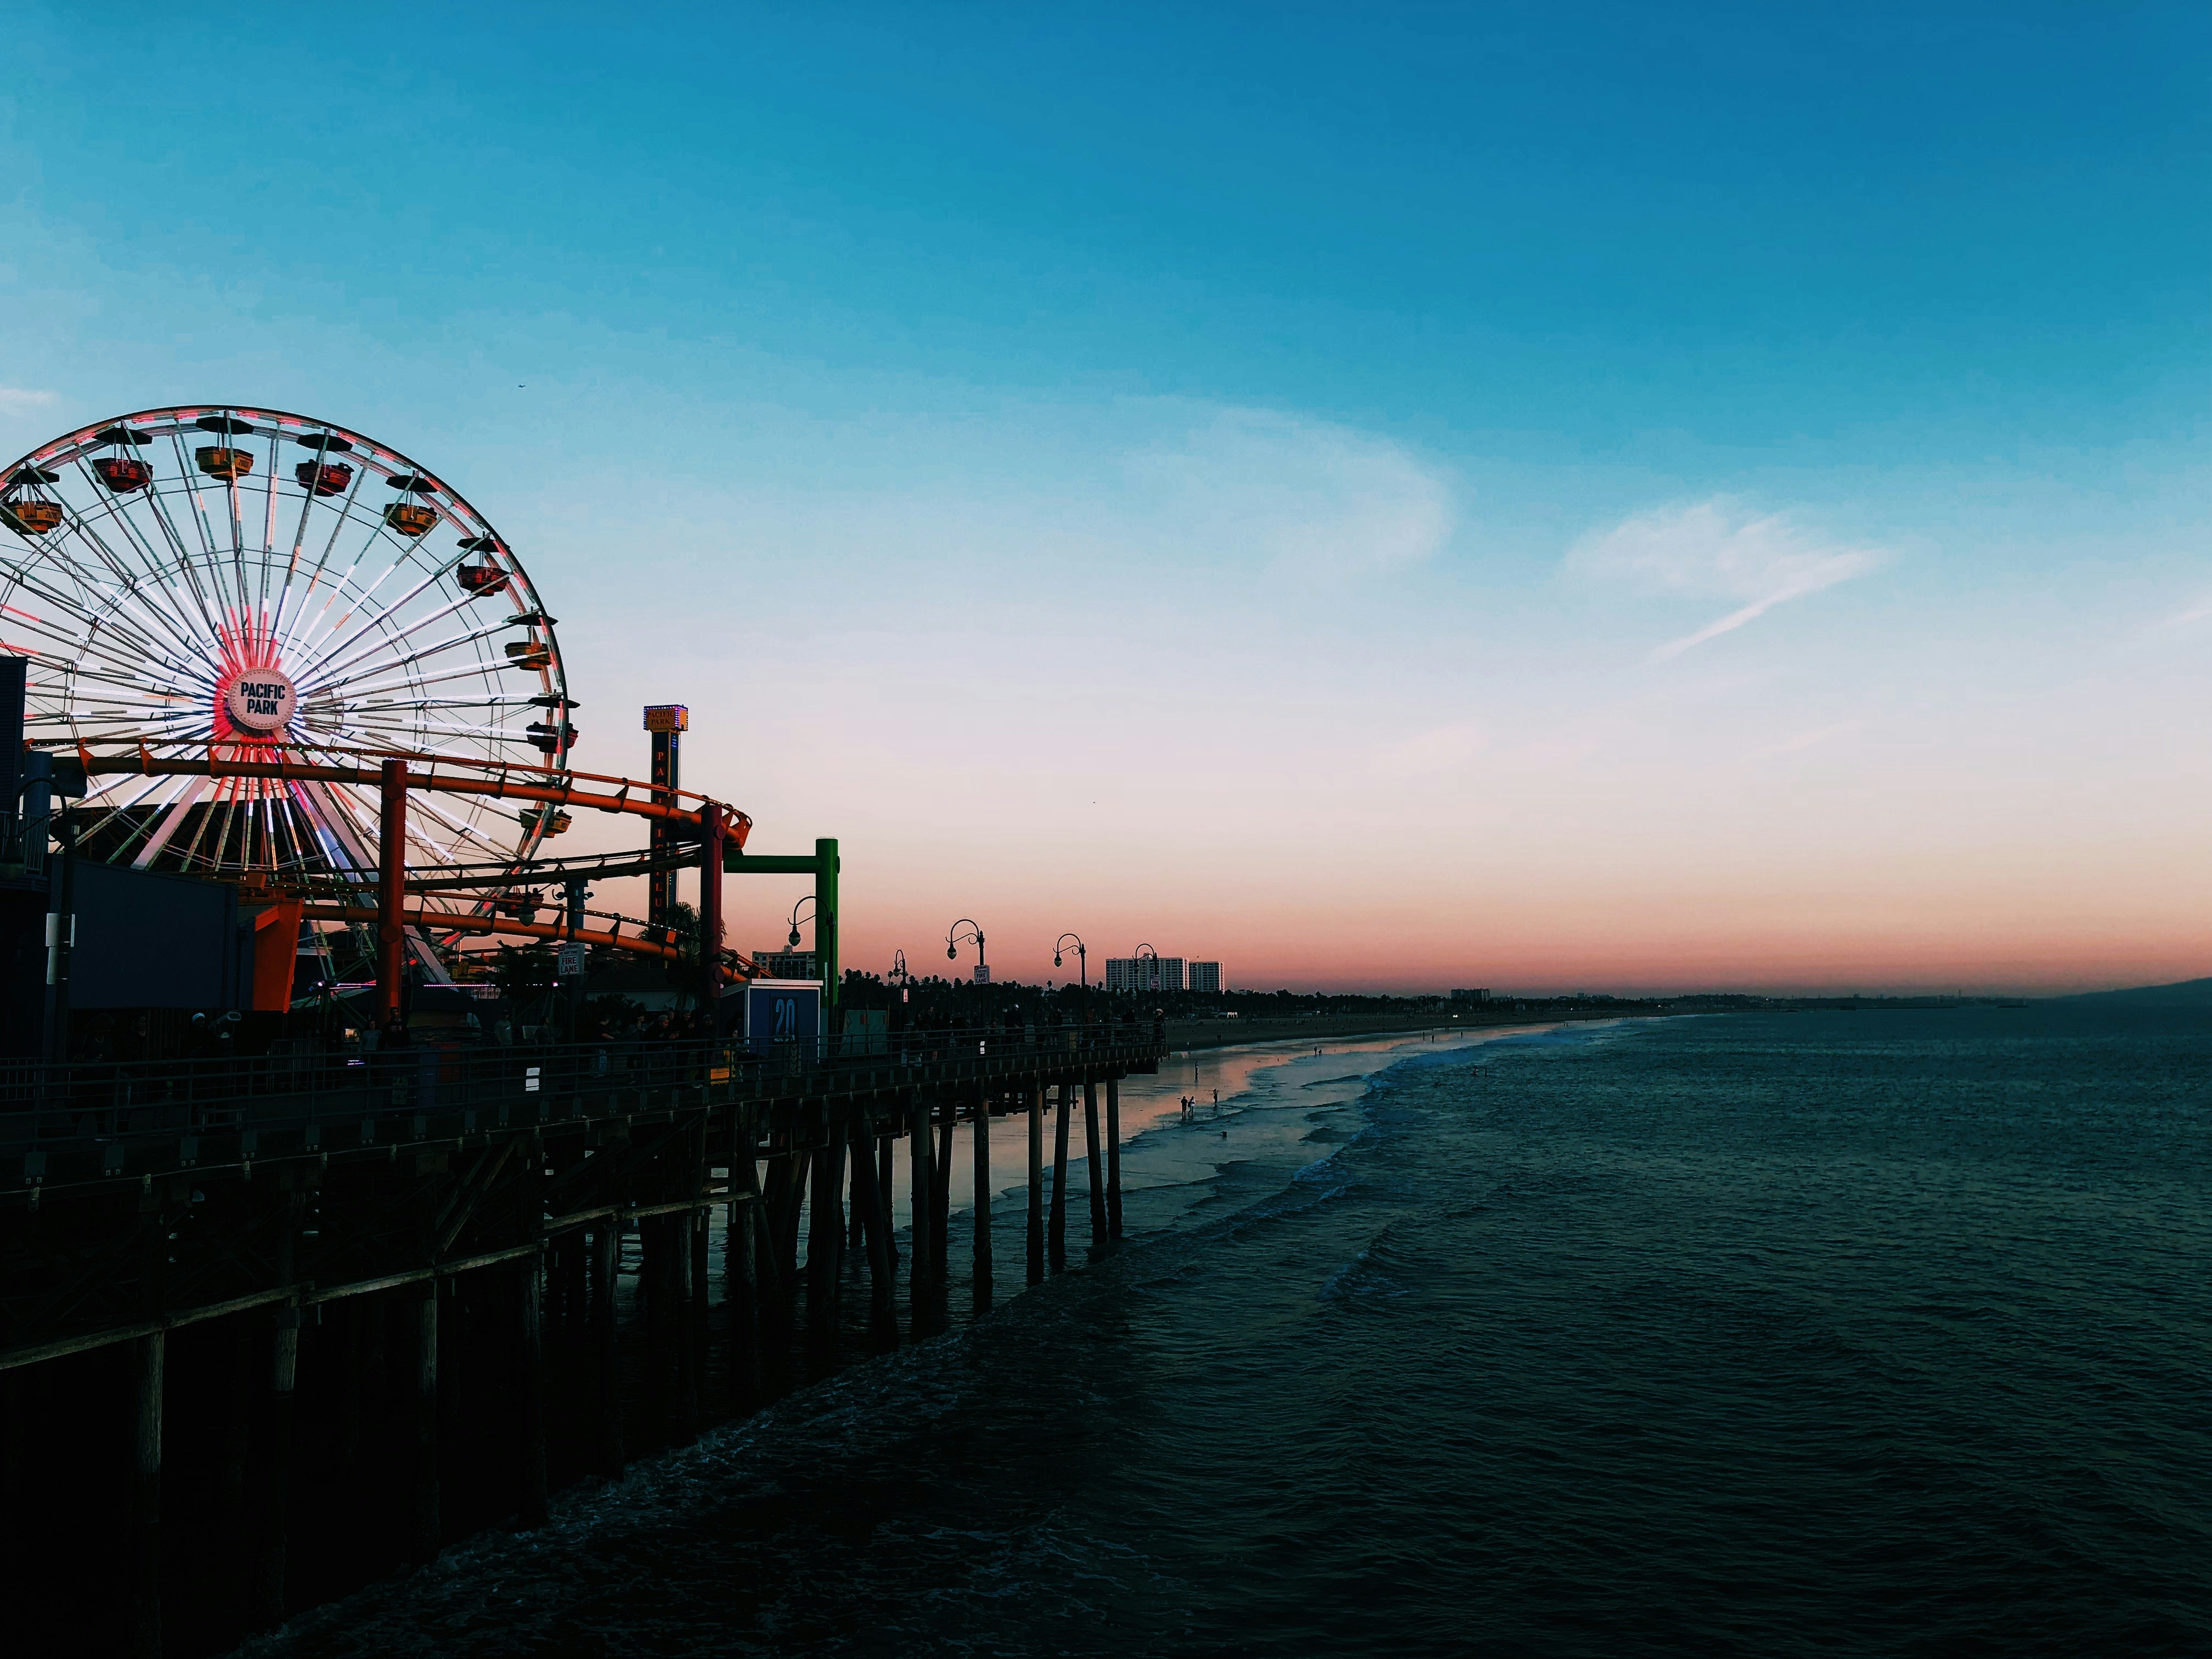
<point x="1768" y="1335"/>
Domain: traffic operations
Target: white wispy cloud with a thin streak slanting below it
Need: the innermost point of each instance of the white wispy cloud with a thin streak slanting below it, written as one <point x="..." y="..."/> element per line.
<point x="1720" y="550"/>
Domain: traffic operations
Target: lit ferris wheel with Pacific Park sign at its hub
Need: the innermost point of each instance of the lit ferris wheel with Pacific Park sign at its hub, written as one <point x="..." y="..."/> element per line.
<point x="249" y="585"/>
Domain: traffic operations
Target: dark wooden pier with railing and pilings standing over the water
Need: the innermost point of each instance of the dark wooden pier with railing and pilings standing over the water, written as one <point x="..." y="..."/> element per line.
<point x="271" y="1328"/>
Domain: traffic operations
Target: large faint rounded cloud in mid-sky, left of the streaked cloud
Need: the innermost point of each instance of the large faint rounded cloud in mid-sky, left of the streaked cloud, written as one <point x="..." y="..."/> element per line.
<point x="1306" y="497"/>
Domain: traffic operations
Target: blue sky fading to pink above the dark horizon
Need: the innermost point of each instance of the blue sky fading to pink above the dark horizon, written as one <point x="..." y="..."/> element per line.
<point x="1300" y="432"/>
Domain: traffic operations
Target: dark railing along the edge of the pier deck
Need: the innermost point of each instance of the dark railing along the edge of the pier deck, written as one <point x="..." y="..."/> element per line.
<point x="116" y="1120"/>
